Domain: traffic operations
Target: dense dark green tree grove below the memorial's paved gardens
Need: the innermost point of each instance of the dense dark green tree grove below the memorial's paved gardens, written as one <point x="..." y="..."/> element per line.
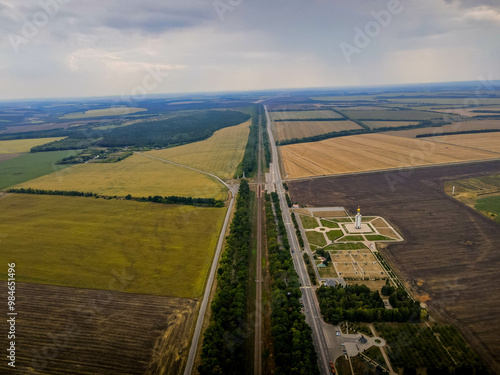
<point x="357" y="303"/>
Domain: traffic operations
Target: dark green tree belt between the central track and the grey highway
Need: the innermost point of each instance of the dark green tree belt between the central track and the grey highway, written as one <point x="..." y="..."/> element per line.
<point x="292" y="337"/>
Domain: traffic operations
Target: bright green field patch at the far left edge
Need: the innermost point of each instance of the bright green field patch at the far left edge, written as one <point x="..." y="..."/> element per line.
<point x="29" y="166"/>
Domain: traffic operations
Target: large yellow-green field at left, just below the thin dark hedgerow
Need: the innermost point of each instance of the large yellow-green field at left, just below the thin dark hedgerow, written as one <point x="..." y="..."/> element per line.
<point x="88" y="243"/>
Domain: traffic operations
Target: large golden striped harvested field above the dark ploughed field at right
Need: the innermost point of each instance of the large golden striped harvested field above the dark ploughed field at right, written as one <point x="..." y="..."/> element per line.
<point x="369" y="152"/>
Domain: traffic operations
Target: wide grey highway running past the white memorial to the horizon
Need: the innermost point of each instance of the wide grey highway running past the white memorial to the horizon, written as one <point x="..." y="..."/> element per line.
<point x="313" y="316"/>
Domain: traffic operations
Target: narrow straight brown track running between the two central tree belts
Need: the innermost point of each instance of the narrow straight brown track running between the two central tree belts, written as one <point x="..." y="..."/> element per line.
<point x="258" y="275"/>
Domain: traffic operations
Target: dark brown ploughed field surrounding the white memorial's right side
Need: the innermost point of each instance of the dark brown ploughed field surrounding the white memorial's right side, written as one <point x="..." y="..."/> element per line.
<point x="451" y="251"/>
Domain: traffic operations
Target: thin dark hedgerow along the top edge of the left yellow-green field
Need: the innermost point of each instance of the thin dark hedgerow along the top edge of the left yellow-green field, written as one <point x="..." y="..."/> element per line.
<point x="188" y="201"/>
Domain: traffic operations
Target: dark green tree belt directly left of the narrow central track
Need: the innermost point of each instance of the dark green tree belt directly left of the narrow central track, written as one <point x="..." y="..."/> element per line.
<point x="224" y="340"/>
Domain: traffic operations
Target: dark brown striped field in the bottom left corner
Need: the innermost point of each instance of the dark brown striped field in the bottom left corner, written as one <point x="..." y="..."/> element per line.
<point x="82" y="331"/>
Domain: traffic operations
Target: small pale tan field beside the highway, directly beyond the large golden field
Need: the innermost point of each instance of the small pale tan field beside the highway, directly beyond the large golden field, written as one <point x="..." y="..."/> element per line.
<point x="300" y="129"/>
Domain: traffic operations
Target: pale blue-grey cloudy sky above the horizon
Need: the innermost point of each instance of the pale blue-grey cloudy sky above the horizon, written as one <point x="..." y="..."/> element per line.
<point x="75" y="48"/>
